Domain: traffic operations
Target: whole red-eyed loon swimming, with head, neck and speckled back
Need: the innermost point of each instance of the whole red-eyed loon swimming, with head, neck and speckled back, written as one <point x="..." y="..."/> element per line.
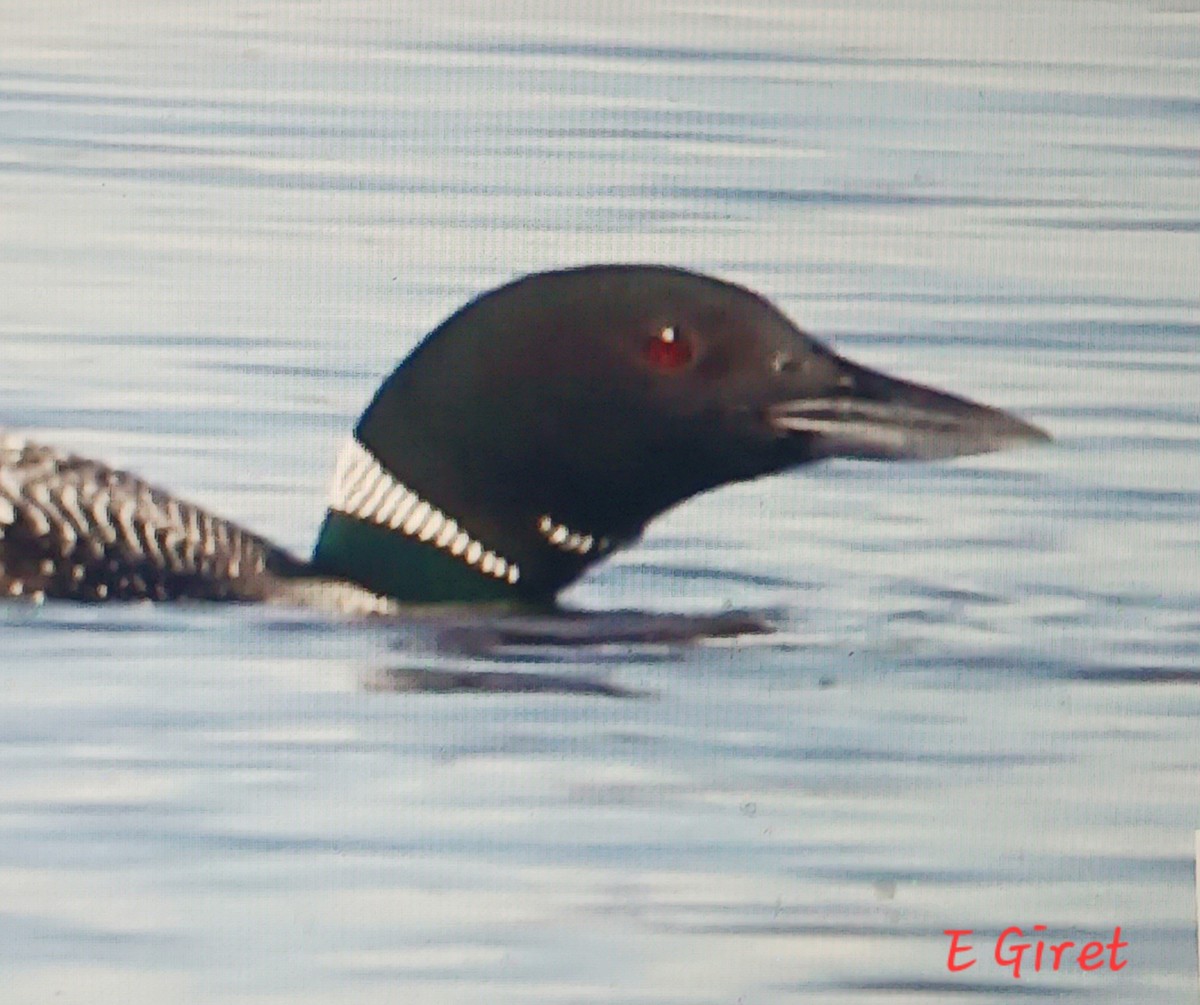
<point x="530" y="436"/>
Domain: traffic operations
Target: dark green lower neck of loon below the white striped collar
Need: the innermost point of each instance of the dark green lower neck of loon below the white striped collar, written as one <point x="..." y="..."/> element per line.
<point x="400" y="568"/>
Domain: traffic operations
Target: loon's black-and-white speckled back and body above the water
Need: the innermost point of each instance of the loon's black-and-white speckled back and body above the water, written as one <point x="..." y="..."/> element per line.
<point x="76" y="529"/>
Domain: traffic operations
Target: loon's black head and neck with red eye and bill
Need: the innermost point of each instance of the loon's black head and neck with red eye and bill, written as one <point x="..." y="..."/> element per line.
<point x="547" y="423"/>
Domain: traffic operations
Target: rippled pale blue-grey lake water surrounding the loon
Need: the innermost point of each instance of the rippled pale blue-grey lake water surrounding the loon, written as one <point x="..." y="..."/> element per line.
<point x="221" y="225"/>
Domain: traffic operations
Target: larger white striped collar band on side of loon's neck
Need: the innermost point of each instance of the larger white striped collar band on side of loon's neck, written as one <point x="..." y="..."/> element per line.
<point x="367" y="491"/>
